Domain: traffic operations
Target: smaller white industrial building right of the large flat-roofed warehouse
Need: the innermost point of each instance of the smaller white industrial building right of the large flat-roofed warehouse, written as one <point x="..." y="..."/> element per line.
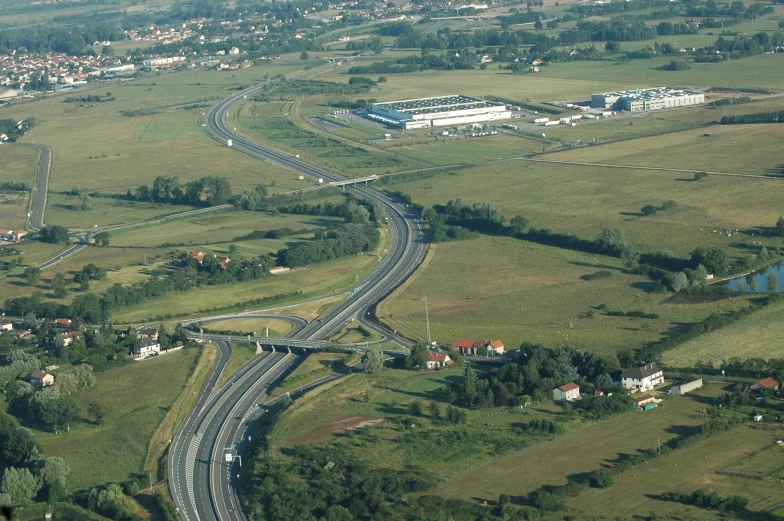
<point x="647" y="99"/>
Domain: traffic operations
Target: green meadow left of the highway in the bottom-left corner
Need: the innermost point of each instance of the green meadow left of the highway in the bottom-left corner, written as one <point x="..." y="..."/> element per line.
<point x="115" y="450"/>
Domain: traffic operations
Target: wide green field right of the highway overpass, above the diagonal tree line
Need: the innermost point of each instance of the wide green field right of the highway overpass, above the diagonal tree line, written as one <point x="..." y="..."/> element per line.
<point x="583" y="200"/>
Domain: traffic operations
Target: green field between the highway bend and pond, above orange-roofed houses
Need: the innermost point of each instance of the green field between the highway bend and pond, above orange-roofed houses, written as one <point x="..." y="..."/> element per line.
<point x="525" y="292"/>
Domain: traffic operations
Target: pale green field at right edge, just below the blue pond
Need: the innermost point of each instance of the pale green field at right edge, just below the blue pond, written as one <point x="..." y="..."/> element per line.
<point x="757" y="336"/>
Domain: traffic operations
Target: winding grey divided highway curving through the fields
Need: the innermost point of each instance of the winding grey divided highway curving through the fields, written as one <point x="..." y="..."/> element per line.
<point x="204" y="457"/>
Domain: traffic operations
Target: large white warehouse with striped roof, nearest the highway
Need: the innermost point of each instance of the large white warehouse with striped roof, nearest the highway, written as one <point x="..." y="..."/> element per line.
<point x="438" y="112"/>
